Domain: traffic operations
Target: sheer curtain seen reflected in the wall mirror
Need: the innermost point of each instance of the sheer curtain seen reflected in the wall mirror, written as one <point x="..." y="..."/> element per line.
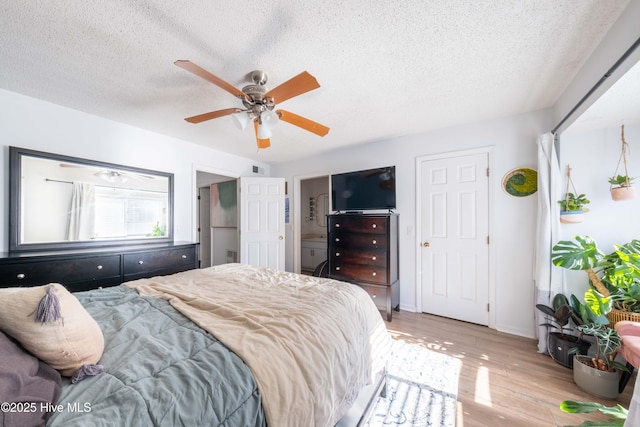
<point x="82" y="212"/>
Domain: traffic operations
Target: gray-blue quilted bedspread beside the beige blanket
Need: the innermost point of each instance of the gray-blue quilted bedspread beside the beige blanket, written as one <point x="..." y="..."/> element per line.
<point x="160" y="369"/>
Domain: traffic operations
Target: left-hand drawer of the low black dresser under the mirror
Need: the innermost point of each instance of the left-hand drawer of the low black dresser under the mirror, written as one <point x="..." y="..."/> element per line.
<point x="93" y="269"/>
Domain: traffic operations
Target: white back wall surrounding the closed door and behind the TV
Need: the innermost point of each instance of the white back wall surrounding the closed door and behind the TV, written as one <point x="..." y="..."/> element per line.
<point x="513" y="219"/>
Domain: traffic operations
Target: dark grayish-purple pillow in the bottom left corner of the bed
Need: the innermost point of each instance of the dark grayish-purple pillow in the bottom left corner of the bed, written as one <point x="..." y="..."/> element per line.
<point x="26" y="382"/>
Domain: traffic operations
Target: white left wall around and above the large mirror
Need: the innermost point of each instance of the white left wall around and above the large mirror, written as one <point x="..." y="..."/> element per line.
<point x="30" y="123"/>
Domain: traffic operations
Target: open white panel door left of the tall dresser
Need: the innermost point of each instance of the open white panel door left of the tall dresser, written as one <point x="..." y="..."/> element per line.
<point x="262" y="221"/>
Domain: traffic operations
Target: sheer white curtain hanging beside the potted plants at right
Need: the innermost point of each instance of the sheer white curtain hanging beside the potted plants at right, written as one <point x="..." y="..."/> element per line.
<point x="547" y="280"/>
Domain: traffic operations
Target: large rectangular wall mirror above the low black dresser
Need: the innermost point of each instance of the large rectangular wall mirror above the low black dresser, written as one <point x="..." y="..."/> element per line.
<point x="62" y="202"/>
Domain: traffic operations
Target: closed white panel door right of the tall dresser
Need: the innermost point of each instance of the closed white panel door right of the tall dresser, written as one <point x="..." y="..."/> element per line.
<point x="454" y="214"/>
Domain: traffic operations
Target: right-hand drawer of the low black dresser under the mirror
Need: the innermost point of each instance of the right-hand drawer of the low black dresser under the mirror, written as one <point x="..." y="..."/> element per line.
<point x="163" y="261"/>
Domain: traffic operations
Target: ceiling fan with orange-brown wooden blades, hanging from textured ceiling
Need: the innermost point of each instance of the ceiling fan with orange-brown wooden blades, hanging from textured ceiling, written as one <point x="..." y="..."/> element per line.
<point x="259" y="104"/>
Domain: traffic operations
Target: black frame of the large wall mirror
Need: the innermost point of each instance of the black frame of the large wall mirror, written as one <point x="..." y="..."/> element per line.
<point x="15" y="172"/>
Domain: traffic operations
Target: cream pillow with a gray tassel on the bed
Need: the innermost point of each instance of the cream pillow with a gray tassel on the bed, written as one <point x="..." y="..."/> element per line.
<point x="66" y="337"/>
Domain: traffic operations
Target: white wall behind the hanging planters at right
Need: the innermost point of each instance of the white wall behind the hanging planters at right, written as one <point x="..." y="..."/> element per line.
<point x="593" y="156"/>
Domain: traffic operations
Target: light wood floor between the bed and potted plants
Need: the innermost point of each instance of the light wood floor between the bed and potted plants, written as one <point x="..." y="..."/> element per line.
<point x="504" y="381"/>
